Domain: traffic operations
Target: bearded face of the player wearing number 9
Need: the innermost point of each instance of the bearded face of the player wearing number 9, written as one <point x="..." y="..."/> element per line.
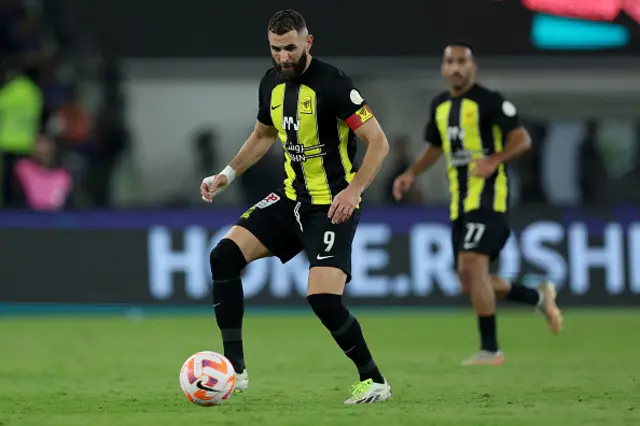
<point x="289" y="52"/>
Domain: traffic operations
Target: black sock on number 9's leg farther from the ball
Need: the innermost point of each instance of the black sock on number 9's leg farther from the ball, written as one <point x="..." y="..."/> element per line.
<point x="347" y="333"/>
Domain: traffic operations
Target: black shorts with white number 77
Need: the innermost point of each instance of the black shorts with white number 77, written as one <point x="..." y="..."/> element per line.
<point x="480" y="231"/>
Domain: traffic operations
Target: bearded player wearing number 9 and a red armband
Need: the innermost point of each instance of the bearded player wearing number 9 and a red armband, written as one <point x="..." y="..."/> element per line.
<point x="316" y="112"/>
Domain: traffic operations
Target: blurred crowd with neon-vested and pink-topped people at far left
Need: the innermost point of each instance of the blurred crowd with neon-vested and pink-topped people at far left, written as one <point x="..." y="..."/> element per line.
<point x="56" y="151"/>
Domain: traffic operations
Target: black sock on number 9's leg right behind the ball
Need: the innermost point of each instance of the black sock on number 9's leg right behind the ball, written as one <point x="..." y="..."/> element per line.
<point x="227" y="262"/>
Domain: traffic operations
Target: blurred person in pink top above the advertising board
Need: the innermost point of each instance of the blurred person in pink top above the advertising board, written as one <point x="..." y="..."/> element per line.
<point x="37" y="183"/>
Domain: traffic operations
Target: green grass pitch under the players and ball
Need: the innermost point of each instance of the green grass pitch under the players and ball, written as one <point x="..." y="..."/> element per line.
<point x="99" y="371"/>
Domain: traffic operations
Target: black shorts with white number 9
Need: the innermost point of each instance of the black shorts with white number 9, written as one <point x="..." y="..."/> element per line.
<point x="287" y="227"/>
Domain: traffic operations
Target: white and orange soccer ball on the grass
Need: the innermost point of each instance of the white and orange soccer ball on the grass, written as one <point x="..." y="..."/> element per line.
<point x="207" y="378"/>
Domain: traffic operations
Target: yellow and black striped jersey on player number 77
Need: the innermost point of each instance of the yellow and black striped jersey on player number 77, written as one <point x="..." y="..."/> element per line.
<point x="467" y="128"/>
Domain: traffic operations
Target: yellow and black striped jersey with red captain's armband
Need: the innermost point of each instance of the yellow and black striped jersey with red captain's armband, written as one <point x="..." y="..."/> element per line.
<point x="315" y="115"/>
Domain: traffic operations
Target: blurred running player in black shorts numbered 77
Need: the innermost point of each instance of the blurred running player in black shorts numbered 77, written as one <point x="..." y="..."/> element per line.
<point x="479" y="131"/>
